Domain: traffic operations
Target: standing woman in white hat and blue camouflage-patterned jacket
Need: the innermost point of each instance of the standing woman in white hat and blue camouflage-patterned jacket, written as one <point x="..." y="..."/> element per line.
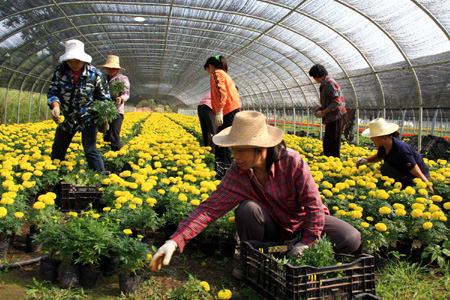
<point x="75" y="85"/>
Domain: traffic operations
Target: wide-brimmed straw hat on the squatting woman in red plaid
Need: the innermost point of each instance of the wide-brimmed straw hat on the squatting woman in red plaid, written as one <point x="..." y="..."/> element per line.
<point x="249" y="129"/>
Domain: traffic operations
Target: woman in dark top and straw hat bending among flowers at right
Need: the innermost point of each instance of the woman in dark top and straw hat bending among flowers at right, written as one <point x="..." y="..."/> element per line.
<point x="401" y="161"/>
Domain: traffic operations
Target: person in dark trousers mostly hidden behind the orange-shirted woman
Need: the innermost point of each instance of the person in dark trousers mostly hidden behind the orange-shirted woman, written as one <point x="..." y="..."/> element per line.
<point x="207" y="121"/>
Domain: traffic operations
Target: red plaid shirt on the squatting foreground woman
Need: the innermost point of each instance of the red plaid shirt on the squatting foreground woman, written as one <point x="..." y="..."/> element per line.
<point x="289" y="195"/>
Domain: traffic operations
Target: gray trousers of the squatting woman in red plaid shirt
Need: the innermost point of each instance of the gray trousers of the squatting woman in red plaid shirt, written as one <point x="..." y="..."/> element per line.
<point x="254" y="223"/>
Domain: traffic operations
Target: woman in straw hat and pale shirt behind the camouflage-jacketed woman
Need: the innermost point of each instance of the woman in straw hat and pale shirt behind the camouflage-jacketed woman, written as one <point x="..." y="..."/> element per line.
<point x="113" y="67"/>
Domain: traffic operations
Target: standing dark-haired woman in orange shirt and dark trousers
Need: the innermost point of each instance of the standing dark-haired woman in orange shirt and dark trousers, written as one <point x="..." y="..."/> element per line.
<point x="224" y="100"/>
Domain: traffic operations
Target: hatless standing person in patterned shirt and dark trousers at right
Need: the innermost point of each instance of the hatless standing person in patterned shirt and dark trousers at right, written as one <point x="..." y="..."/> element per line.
<point x="331" y="111"/>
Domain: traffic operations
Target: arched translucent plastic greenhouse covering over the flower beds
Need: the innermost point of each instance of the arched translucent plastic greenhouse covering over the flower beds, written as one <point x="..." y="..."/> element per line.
<point x="390" y="57"/>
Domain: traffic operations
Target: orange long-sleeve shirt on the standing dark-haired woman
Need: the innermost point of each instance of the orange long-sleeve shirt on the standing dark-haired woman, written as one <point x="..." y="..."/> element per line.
<point x="223" y="92"/>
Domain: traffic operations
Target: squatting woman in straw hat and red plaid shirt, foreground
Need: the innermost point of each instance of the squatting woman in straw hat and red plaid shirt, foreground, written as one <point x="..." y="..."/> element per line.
<point x="273" y="188"/>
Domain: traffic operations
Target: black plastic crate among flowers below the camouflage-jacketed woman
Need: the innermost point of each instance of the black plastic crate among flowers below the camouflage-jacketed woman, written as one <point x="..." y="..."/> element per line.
<point x="79" y="198"/>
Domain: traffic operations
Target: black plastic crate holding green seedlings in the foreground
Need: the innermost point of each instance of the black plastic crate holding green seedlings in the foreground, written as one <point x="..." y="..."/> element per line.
<point x="273" y="280"/>
